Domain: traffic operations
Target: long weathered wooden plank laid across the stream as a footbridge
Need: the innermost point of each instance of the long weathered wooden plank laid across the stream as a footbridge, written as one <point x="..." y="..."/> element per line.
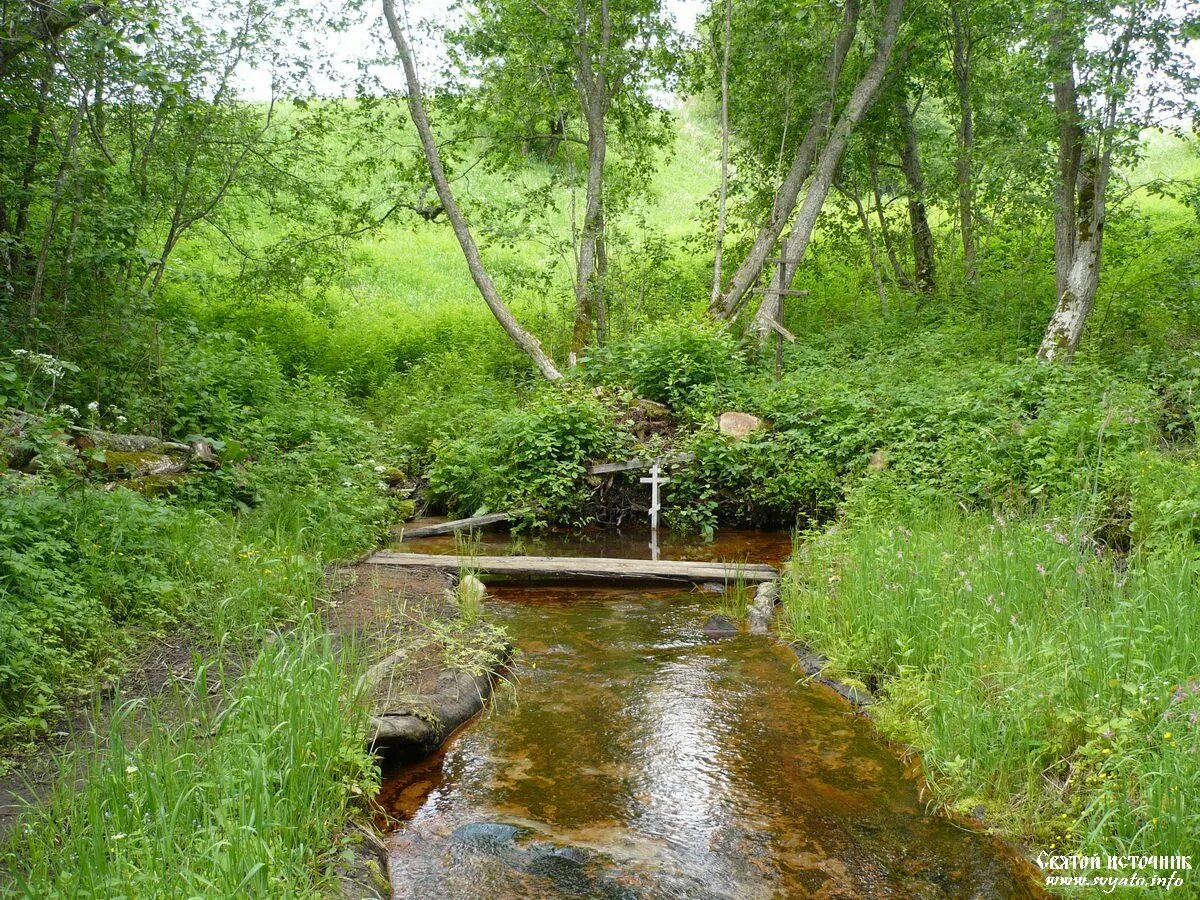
<point x="584" y="567"/>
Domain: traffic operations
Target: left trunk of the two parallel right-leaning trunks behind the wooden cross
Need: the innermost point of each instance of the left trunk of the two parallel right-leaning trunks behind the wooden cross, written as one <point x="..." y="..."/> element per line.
<point x="729" y="304"/>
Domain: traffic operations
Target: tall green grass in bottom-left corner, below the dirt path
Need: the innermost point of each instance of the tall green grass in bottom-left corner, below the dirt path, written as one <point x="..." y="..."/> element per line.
<point x="235" y="795"/>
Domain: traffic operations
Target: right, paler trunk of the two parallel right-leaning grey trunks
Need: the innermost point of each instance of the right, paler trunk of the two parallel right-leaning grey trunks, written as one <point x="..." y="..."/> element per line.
<point x="797" y="241"/>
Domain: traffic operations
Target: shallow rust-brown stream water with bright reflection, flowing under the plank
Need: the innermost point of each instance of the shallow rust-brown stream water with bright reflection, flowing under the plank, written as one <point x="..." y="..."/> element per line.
<point x="639" y="759"/>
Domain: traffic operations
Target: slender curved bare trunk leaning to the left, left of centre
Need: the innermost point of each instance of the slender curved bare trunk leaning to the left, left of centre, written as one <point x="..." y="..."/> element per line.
<point x="524" y="340"/>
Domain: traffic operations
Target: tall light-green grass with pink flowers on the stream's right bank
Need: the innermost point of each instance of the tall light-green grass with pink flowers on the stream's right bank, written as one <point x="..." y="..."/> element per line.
<point x="1055" y="686"/>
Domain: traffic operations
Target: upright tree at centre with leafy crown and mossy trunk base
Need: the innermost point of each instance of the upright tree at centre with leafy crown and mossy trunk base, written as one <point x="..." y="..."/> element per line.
<point x="587" y="67"/>
